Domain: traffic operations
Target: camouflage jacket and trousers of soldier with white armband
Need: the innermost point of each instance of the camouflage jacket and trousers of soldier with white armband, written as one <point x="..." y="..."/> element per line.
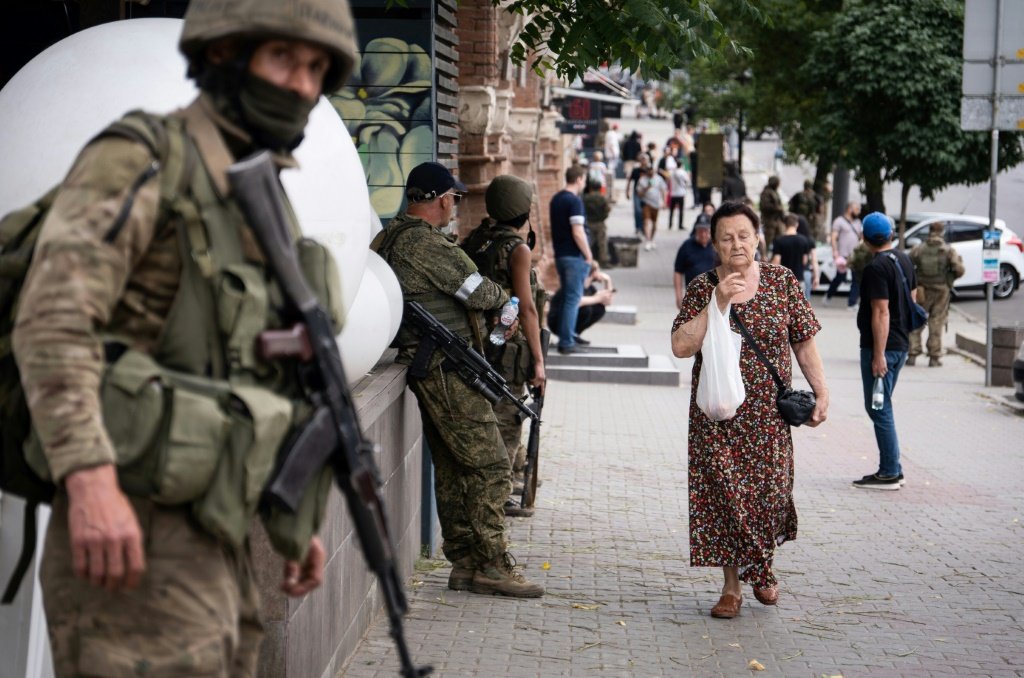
<point x="471" y="462"/>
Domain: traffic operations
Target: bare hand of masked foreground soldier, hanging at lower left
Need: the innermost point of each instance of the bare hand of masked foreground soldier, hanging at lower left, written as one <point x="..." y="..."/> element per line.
<point x="106" y="539"/>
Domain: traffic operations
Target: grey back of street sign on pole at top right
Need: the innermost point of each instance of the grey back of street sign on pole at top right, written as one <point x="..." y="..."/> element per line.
<point x="988" y="24"/>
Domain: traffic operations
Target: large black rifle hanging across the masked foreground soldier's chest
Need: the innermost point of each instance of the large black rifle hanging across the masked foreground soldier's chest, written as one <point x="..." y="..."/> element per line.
<point x="333" y="436"/>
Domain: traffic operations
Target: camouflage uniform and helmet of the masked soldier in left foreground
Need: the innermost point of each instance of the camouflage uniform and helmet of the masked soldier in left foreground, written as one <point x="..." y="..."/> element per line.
<point x="115" y="266"/>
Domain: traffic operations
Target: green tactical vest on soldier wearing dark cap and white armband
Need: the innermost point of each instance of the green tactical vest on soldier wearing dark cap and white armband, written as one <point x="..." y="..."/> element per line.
<point x="449" y="311"/>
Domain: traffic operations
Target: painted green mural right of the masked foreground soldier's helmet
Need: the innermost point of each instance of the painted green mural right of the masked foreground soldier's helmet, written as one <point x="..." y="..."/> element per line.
<point x="389" y="104"/>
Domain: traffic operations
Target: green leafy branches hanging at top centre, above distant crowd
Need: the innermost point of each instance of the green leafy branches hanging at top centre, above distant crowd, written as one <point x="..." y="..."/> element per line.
<point x="656" y="36"/>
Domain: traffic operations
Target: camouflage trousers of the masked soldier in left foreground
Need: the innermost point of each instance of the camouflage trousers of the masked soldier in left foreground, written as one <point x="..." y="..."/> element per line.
<point x="196" y="612"/>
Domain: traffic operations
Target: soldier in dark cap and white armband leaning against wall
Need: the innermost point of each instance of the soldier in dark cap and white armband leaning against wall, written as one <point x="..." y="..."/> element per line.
<point x="472" y="465"/>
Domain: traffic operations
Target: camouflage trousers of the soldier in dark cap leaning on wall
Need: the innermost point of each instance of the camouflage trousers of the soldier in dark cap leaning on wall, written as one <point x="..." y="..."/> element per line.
<point x="472" y="468"/>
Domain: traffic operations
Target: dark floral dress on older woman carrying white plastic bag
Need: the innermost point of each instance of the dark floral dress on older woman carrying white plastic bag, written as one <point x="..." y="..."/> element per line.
<point x="741" y="471"/>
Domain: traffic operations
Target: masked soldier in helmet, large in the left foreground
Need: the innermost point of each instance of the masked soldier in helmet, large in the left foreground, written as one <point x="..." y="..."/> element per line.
<point x="135" y="341"/>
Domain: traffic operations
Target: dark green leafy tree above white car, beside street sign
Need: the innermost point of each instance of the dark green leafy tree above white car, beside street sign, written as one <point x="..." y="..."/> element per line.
<point x="889" y="75"/>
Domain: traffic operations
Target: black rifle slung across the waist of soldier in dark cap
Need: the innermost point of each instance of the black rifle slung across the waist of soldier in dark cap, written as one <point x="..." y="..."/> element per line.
<point x="471" y="366"/>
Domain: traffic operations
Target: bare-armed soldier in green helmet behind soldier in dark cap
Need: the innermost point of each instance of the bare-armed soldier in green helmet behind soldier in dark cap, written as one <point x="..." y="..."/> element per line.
<point x="503" y="257"/>
